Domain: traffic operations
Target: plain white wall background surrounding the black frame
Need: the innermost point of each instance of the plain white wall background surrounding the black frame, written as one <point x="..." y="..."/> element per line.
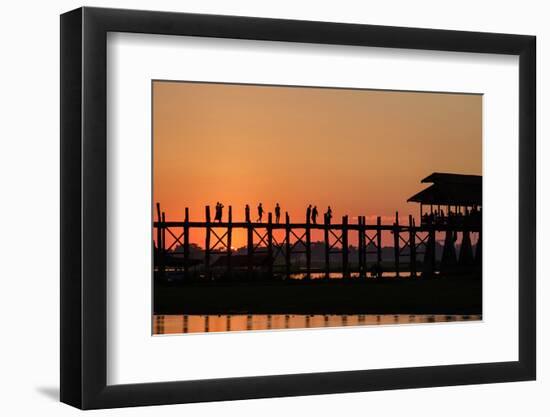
<point x="29" y="229"/>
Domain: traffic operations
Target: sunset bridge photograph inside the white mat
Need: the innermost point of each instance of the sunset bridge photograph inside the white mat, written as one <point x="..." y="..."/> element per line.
<point x="290" y="207"/>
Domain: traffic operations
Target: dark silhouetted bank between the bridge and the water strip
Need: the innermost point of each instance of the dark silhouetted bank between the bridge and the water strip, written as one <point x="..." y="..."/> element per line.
<point x="452" y="295"/>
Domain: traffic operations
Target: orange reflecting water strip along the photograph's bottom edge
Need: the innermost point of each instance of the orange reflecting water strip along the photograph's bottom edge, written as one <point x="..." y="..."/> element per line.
<point x="177" y="324"/>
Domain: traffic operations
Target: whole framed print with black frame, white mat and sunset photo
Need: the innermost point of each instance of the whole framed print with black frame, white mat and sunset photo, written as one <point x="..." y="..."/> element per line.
<point x="257" y="208"/>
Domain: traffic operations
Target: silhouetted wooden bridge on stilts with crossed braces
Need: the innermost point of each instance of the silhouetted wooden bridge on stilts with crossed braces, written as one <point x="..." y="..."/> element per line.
<point x="410" y="241"/>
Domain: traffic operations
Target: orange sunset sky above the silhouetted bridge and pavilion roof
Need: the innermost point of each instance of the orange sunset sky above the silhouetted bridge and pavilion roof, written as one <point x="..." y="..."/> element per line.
<point x="363" y="152"/>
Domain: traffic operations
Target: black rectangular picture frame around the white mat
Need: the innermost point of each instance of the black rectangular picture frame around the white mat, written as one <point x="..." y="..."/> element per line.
<point x="84" y="207"/>
